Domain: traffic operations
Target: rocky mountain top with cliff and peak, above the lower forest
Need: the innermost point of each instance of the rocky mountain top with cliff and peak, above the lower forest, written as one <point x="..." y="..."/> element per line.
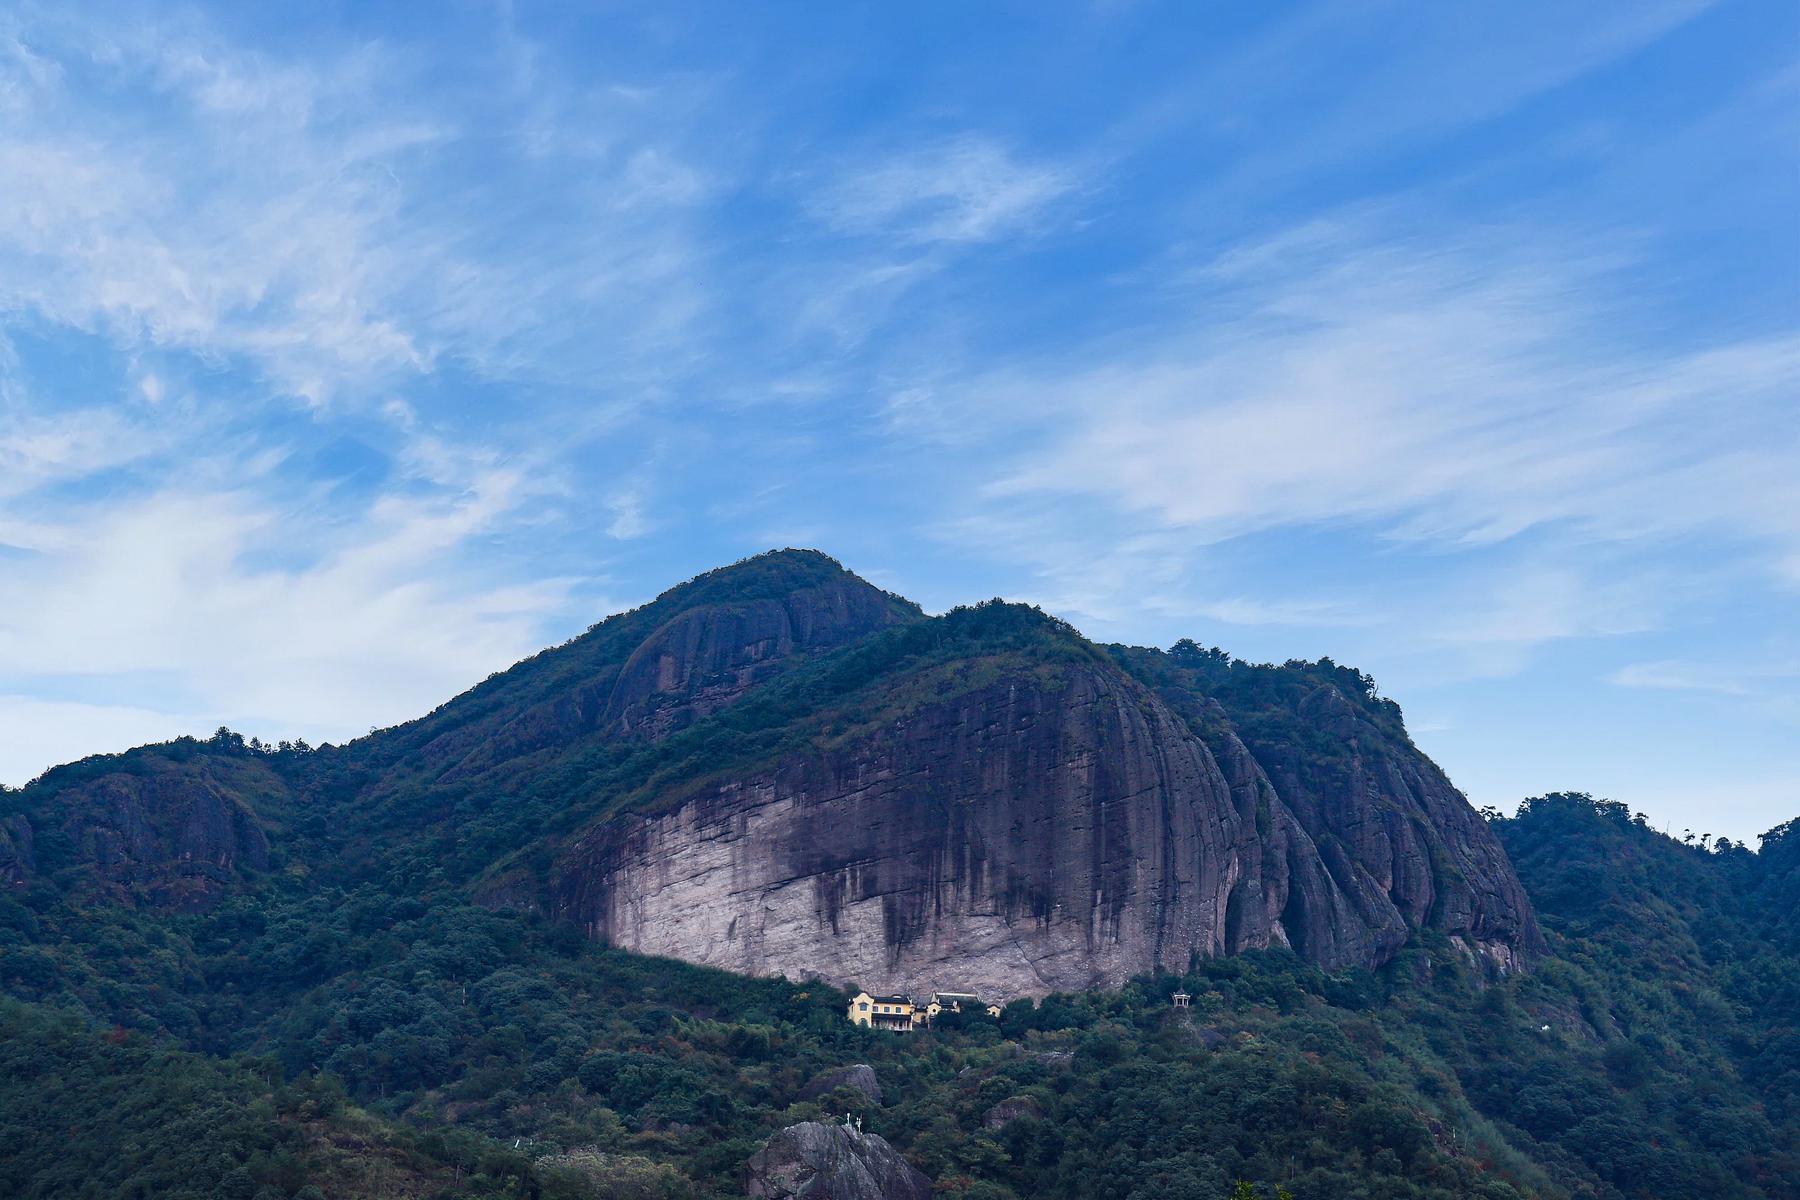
<point x="782" y="769"/>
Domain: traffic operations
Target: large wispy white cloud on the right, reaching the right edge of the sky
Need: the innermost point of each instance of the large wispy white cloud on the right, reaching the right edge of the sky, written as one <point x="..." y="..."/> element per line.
<point x="1448" y="395"/>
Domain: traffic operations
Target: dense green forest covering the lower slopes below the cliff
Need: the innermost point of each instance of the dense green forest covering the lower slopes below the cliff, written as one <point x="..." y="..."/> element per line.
<point x="366" y="1043"/>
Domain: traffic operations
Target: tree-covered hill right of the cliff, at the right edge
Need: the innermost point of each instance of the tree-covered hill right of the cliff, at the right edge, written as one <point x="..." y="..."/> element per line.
<point x="1675" y="983"/>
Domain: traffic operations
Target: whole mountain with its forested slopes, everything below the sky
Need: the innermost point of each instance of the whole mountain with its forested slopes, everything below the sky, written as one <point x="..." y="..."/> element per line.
<point x="426" y="963"/>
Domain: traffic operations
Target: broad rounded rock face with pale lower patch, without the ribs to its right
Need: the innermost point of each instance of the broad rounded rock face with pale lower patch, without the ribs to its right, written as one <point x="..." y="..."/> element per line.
<point x="1011" y="841"/>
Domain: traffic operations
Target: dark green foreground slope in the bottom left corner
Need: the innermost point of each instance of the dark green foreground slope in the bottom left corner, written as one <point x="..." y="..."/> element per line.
<point x="89" y="1113"/>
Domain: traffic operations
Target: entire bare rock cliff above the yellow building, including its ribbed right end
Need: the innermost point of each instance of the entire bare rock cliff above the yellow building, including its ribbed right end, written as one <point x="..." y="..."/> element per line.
<point x="1052" y="828"/>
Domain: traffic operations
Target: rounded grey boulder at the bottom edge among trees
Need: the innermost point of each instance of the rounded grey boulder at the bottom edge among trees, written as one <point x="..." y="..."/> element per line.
<point x="816" y="1161"/>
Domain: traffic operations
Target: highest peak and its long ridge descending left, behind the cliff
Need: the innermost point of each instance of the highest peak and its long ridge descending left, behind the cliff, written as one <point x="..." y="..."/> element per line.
<point x="190" y="819"/>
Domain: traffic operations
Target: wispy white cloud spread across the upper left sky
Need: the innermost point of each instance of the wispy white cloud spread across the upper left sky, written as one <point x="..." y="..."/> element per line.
<point x="309" y="217"/>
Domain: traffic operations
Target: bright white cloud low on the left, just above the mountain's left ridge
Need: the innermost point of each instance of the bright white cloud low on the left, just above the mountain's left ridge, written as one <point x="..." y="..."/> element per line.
<point x="267" y="618"/>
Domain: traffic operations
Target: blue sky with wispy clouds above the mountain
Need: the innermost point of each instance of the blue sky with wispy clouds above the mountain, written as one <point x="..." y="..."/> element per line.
<point x="355" y="352"/>
